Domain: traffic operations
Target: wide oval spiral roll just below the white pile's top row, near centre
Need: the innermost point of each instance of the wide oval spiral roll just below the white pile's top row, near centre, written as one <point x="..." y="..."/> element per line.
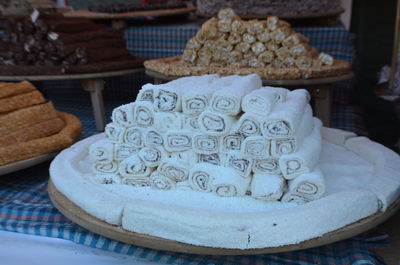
<point x="215" y="124"/>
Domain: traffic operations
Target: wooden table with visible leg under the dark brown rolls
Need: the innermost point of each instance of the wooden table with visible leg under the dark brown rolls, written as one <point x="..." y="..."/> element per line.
<point x="93" y="83"/>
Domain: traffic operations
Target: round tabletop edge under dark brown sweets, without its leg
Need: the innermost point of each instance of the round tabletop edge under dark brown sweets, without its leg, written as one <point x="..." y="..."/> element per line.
<point x="69" y="76"/>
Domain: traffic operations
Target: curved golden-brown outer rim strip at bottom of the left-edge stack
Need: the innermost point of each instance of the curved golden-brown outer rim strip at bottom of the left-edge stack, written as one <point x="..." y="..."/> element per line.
<point x="21" y="151"/>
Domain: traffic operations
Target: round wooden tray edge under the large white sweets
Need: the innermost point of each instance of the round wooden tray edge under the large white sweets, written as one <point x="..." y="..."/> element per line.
<point x="80" y="217"/>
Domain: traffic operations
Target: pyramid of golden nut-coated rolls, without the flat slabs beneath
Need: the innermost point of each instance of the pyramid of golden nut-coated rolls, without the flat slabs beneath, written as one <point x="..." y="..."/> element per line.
<point x="229" y="41"/>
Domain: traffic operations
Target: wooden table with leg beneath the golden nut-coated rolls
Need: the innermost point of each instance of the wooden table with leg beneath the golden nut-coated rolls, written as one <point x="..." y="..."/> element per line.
<point x="319" y="88"/>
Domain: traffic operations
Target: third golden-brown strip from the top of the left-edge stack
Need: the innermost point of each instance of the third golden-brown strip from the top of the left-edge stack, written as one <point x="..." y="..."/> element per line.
<point x="24" y="117"/>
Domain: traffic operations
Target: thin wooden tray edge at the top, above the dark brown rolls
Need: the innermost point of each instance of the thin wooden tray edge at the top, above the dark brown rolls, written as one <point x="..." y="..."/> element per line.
<point x="137" y="14"/>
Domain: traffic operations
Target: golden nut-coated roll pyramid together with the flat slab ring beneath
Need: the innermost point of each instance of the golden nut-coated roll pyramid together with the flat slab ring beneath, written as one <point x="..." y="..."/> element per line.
<point x="270" y="48"/>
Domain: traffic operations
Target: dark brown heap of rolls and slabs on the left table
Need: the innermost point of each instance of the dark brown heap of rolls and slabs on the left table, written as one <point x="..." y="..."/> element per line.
<point x="54" y="44"/>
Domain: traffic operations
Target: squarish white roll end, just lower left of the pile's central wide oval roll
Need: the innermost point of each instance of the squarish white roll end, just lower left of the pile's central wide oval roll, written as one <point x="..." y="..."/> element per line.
<point x="178" y="140"/>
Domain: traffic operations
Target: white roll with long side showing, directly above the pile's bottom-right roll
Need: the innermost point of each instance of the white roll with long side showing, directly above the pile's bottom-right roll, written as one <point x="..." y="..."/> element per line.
<point x="306" y="158"/>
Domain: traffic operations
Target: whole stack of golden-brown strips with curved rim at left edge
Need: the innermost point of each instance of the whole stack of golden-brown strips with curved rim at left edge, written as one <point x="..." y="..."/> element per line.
<point x="30" y="126"/>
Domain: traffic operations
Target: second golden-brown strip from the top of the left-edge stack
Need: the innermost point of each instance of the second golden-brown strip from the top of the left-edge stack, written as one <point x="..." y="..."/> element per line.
<point x="21" y="101"/>
